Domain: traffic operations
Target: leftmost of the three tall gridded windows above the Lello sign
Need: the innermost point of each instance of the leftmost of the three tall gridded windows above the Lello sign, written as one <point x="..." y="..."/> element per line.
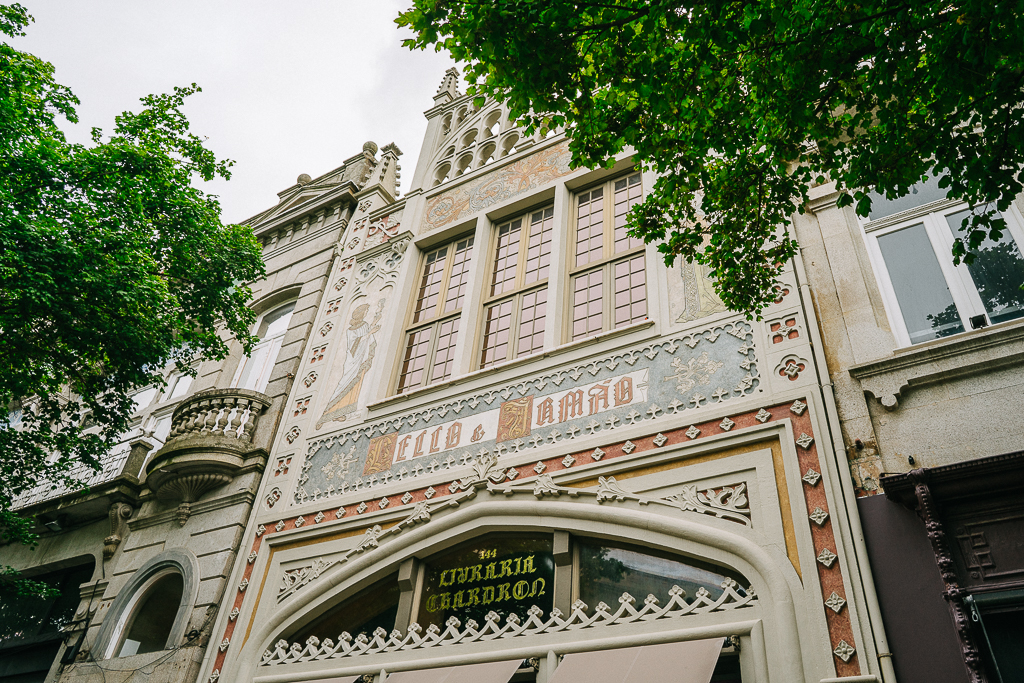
<point x="431" y="341"/>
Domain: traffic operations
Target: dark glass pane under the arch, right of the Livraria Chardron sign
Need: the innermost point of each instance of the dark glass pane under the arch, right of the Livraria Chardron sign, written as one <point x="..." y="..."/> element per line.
<point x="608" y="573"/>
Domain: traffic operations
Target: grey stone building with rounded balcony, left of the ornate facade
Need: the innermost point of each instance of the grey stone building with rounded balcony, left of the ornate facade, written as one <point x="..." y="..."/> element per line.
<point x="143" y="561"/>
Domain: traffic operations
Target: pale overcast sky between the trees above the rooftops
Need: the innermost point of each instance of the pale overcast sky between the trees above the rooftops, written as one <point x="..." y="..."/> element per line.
<point x="288" y="88"/>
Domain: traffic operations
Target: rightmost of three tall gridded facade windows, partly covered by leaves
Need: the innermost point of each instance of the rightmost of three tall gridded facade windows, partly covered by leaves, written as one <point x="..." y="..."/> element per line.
<point x="609" y="279"/>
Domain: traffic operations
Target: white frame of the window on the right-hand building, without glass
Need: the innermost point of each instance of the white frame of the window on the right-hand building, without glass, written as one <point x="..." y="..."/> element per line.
<point x="959" y="280"/>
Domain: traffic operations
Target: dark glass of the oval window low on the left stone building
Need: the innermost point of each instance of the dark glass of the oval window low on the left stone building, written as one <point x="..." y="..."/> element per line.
<point x="149" y="621"/>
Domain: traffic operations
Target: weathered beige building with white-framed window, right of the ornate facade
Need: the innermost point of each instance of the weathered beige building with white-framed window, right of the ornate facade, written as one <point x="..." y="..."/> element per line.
<point x="925" y="361"/>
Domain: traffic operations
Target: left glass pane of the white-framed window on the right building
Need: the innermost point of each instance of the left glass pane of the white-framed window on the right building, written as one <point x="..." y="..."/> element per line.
<point x="924" y="297"/>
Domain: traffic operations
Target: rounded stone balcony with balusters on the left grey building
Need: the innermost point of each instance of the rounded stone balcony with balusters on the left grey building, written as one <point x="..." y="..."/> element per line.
<point x="214" y="438"/>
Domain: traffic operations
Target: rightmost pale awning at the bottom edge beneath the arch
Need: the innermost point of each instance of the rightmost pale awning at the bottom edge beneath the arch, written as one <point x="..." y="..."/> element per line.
<point x="690" y="662"/>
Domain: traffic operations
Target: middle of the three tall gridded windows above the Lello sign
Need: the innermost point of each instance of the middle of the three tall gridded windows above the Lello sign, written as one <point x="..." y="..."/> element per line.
<point x="518" y="300"/>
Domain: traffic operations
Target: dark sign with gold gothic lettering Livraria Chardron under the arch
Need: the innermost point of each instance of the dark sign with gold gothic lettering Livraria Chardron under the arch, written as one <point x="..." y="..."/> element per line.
<point x="505" y="576"/>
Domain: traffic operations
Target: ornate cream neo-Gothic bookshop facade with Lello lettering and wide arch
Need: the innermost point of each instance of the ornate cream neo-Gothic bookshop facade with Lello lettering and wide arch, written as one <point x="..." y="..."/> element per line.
<point x="519" y="448"/>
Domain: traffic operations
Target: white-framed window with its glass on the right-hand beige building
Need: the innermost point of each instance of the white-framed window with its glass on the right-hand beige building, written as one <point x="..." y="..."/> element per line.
<point x="930" y="295"/>
